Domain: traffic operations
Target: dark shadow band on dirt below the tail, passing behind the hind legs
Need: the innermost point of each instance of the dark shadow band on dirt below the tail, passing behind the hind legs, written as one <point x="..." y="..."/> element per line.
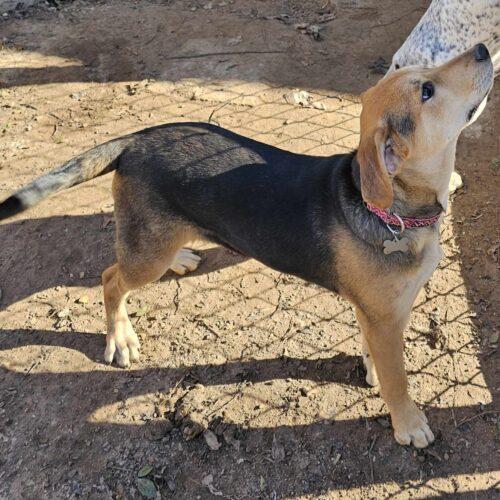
<point x="38" y="254"/>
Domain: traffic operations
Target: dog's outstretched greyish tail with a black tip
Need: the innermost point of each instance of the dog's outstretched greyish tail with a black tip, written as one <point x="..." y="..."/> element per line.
<point x="93" y="163"/>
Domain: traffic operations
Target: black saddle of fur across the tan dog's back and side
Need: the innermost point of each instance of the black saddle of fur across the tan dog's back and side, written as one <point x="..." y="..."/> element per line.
<point x="232" y="186"/>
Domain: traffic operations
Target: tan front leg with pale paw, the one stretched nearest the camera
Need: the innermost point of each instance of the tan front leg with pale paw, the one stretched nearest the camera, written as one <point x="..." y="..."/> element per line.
<point x="384" y="337"/>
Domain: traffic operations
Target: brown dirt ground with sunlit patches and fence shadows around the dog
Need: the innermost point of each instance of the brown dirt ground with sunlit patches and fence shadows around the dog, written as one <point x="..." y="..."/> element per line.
<point x="269" y="364"/>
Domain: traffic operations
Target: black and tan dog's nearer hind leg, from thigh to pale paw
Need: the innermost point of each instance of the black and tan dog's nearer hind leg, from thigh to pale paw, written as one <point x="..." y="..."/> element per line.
<point x="148" y="243"/>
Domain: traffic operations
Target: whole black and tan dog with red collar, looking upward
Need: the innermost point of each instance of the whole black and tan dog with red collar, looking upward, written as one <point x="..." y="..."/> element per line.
<point x="320" y="218"/>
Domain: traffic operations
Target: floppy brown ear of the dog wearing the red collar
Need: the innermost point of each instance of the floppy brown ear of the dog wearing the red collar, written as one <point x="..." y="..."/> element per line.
<point x="380" y="154"/>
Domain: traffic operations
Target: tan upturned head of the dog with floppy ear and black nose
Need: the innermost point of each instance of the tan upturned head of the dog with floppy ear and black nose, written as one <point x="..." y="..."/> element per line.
<point x="415" y="113"/>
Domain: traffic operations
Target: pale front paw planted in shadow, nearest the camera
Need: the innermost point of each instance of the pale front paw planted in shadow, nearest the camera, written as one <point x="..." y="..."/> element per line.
<point x="410" y="426"/>
